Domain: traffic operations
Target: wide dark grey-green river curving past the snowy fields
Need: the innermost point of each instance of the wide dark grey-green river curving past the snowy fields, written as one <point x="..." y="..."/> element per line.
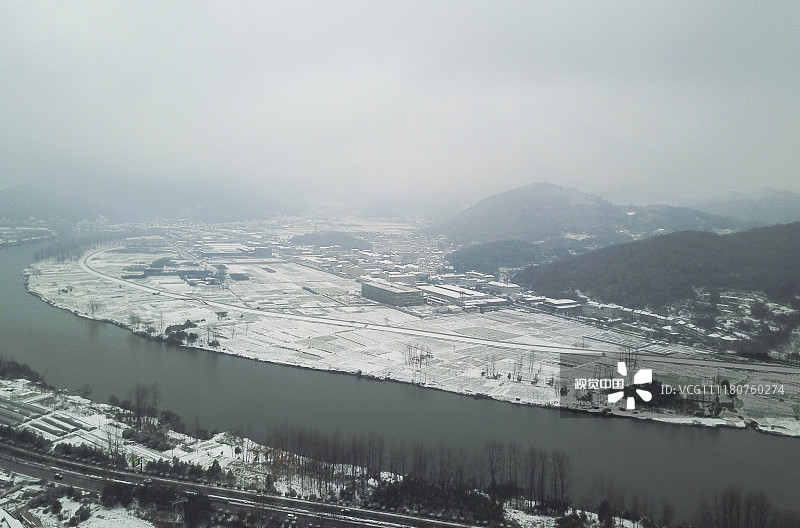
<point x="664" y="462"/>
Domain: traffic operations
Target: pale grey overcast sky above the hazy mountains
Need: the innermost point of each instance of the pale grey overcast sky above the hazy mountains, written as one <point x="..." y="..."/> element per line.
<point x="637" y="101"/>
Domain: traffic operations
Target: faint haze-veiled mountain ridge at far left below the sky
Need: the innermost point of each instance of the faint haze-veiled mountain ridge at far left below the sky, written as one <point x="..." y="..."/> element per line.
<point x="139" y="200"/>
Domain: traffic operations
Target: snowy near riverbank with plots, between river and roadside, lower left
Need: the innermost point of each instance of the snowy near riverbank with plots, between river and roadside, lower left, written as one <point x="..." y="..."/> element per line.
<point x="226" y="459"/>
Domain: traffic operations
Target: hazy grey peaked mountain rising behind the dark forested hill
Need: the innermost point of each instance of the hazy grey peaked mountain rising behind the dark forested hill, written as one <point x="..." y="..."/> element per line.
<point x="544" y="211"/>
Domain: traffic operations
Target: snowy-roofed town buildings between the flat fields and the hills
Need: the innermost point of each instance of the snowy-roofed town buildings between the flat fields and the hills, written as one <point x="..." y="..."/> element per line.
<point x="404" y="268"/>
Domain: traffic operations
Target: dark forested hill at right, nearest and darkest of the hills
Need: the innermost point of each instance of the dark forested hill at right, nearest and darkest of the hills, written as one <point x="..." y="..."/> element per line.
<point x="665" y="268"/>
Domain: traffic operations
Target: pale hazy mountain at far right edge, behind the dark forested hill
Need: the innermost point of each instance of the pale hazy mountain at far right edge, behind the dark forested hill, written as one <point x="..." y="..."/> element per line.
<point x="762" y="206"/>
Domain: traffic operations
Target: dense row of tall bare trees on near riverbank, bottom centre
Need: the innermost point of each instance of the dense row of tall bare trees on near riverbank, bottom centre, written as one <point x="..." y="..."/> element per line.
<point x="333" y="461"/>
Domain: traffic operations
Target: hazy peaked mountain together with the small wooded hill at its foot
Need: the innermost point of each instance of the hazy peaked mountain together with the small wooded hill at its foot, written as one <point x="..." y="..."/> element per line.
<point x="544" y="222"/>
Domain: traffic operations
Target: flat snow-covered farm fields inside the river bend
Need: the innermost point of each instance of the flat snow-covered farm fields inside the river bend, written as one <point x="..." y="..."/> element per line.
<point x="292" y="314"/>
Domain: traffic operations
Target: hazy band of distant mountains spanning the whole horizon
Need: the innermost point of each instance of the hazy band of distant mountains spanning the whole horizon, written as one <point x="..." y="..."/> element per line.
<point x="534" y="213"/>
